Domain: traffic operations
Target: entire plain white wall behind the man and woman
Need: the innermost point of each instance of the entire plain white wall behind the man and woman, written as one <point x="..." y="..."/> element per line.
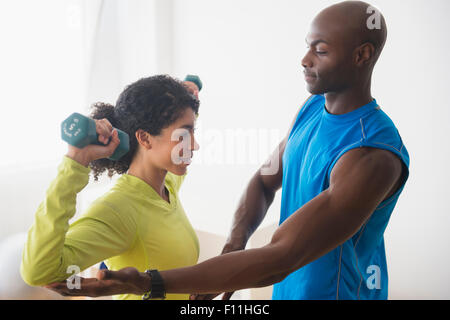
<point x="248" y="55"/>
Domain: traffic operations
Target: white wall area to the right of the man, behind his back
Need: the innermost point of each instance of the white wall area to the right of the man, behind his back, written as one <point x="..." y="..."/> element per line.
<point x="412" y="82"/>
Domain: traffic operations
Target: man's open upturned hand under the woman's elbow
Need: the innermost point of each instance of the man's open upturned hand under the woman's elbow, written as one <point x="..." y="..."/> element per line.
<point x="125" y="281"/>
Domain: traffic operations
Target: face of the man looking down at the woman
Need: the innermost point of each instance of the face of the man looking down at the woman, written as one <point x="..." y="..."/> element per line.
<point x="328" y="63"/>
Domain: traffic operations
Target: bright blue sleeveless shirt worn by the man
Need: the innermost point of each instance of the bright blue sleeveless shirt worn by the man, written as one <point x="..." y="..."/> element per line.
<point x="356" y="269"/>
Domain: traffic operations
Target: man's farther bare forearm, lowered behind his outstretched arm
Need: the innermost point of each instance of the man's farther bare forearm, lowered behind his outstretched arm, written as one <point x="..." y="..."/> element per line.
<point x="251" y="211"/>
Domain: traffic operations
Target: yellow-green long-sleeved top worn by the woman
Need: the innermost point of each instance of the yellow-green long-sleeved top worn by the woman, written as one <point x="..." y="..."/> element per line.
<point x="130" y="225"/>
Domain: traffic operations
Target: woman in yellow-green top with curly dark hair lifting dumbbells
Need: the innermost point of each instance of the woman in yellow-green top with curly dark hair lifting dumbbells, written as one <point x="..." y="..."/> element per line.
<point x="140" y="221"/>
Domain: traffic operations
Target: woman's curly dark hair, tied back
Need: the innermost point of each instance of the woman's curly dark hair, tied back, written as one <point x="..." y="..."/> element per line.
<point x="150" y="104"/>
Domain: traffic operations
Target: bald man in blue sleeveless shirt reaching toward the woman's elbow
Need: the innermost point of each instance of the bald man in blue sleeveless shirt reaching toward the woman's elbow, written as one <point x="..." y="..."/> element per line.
<point x="344" y="166"/>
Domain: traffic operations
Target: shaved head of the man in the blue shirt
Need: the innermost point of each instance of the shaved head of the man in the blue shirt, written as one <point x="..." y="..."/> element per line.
<point x="345" y="41"/>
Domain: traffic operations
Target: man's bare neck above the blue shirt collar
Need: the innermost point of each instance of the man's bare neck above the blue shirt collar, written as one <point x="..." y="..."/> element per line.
<point x="339" y="103"/>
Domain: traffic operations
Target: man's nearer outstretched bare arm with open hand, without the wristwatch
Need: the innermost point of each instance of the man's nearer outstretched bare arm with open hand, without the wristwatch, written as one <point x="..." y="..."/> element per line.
<point x="359" y="182"/>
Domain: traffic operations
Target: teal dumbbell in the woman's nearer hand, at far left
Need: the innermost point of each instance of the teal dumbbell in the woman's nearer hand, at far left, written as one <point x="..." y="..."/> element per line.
<point x="80" y="131"/>
